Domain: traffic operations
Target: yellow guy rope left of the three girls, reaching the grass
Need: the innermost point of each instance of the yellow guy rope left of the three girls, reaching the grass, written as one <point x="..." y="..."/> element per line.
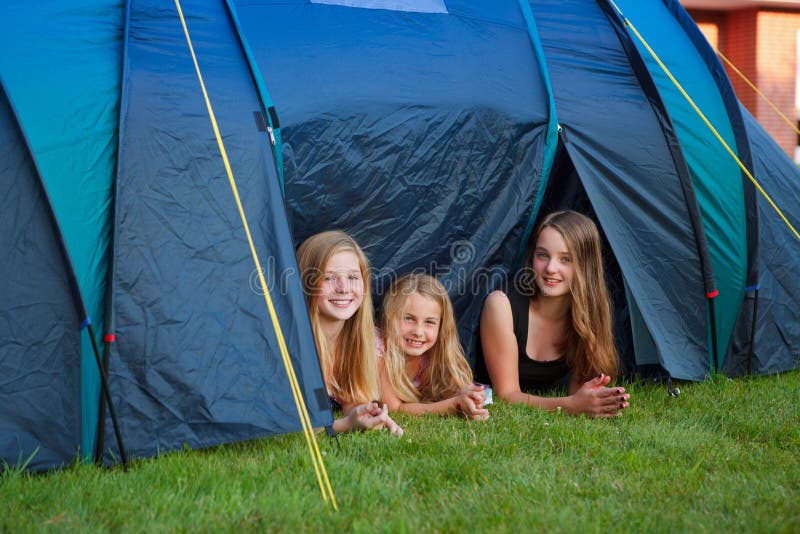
<point x="308" y="431"/>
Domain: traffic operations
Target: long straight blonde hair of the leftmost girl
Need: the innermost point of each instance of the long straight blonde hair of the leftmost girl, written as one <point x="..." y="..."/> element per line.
<point x="349" y="367"/>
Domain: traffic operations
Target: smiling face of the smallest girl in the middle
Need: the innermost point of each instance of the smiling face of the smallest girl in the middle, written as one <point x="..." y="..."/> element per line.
<point x="419" y="325"/>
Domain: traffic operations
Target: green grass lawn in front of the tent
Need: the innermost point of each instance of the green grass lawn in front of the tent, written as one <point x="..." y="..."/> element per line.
<point x="724" y="456"/>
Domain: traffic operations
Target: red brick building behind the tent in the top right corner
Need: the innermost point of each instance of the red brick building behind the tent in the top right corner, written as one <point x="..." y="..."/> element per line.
<point x="762" y="39"/>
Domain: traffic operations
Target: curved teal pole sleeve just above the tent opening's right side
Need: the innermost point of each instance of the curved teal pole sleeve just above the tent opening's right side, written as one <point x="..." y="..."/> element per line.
<point x="551" y="140"/>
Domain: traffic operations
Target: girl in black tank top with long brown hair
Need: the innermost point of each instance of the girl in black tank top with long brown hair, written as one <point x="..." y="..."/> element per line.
<point x="559" y="325"/>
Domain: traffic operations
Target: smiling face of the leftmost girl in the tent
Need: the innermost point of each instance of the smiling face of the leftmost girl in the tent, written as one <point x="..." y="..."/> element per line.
<point x="342" y="289"/>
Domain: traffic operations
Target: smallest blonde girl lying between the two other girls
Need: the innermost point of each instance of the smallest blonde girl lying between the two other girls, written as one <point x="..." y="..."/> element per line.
<point x="423" y="369"/>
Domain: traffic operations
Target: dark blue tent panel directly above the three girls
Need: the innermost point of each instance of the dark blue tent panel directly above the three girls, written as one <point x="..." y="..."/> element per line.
<point x="431" y="164"/>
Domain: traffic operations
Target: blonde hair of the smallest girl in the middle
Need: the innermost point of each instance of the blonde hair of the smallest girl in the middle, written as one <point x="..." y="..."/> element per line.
<point x="448" y="371"/>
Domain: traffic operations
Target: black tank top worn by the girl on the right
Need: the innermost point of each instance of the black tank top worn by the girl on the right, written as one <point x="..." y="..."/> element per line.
<point x="533" y="375"/>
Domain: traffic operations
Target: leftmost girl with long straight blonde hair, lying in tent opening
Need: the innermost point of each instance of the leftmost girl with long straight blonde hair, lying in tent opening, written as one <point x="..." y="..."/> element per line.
<point x="335" y="277"/>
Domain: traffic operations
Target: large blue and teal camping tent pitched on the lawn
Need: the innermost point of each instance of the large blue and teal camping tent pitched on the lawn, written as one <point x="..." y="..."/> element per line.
<point x="437" y="132"/>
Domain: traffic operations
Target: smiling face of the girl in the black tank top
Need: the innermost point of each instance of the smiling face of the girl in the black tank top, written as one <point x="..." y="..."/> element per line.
<point x="553" y="264"/>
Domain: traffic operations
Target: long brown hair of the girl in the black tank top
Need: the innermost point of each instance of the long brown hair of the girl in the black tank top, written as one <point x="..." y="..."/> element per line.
<point x="589" y="346"/>
